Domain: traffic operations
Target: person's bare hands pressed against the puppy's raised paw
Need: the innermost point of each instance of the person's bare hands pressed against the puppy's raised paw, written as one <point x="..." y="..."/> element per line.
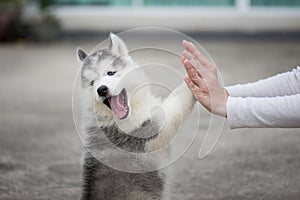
<point x="203" y="81"/>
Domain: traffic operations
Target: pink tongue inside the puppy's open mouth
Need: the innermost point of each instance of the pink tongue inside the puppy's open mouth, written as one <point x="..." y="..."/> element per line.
<point x="118" y="107"/>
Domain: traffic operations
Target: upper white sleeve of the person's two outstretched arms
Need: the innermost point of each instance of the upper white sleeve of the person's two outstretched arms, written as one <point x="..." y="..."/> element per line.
<point x="282" y="84"/>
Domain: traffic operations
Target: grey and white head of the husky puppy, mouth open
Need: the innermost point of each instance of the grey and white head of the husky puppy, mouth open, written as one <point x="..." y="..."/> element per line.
<point x="103" y="76"/>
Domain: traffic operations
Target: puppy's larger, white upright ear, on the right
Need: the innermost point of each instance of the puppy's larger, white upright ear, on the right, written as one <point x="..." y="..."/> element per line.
<point x="117" y="46"/>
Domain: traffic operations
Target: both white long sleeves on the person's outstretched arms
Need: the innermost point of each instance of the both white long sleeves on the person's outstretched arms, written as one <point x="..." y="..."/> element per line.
<point x="273" y="102"/>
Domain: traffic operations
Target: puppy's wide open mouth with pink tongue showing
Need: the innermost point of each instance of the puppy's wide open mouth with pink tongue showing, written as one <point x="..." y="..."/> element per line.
<point x="118" y="104"/>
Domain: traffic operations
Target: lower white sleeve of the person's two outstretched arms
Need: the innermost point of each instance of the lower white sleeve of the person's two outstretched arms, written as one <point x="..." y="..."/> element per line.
<point x="275" y="112"/>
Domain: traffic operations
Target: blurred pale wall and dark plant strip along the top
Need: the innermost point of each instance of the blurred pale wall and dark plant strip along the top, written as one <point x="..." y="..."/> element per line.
<point x="40" y="19"/>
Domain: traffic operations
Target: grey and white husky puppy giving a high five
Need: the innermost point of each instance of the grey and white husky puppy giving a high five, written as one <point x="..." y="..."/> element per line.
<point x="118" y="113"/>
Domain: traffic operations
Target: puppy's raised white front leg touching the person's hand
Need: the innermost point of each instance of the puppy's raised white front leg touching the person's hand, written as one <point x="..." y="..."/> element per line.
<point x="176" y="108"/>
